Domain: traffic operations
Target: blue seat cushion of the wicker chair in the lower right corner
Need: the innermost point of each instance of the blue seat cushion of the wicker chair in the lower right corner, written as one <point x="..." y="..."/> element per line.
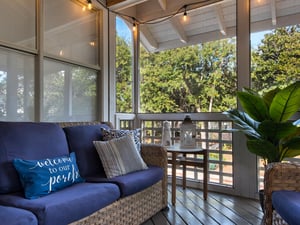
<point x="287" y="205"/>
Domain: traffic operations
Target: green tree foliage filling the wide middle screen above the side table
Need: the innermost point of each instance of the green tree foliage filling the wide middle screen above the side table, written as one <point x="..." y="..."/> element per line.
<point x="202" y="75"/>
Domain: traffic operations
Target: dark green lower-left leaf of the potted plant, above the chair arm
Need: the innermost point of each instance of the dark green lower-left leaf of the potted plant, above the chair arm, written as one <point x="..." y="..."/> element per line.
<point x="264" y="149"/>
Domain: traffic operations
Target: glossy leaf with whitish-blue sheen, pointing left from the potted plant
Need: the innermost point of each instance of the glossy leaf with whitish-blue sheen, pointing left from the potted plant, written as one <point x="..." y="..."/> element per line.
<point x="245" y="123"/>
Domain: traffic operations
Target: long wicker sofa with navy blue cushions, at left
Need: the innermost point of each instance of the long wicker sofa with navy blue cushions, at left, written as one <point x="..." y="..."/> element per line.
<point x="92" y="199"/>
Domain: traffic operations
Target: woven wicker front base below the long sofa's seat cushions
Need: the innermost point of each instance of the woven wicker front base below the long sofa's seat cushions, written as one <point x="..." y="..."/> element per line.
<point x="132" y="210"/>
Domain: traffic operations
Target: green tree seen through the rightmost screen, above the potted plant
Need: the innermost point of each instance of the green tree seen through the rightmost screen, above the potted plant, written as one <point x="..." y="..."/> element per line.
<point x="276" y="61"/>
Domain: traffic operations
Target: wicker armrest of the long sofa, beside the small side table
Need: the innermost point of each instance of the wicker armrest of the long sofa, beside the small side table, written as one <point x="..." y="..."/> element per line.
<point x="156" y="155"/>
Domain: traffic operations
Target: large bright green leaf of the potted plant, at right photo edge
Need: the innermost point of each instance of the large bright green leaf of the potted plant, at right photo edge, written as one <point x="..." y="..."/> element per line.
<point x="286" y="103"/>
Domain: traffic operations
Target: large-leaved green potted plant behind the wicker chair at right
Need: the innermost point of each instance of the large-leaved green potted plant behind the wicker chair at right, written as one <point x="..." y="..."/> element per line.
<point x="266" y="122"/>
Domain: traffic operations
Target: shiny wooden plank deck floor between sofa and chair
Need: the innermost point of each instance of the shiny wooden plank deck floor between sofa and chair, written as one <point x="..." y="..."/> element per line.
<point x="218" y="209"/>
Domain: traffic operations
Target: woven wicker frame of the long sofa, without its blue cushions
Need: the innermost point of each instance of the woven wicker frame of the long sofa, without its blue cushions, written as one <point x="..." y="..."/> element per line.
<point x="136" y="208"/>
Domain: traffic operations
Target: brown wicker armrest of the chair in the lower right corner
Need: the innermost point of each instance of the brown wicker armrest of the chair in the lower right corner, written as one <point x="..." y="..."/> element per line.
<point x="279" y="176"/>
